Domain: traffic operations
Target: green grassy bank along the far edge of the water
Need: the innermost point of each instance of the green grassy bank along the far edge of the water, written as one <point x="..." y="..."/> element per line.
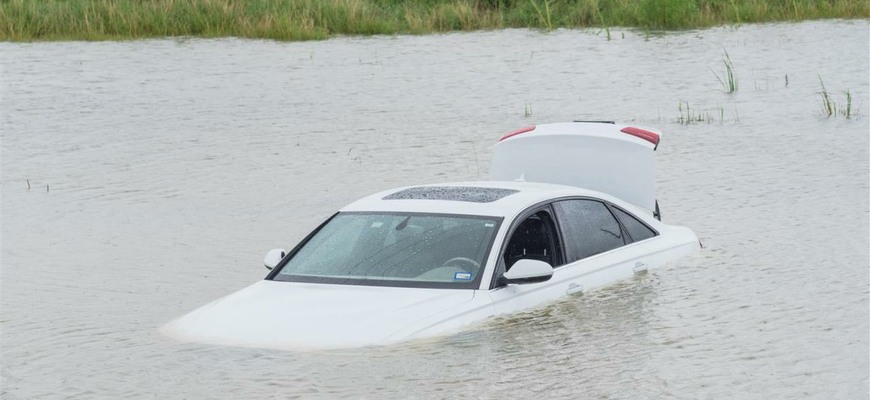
<point x="24" y="20"/>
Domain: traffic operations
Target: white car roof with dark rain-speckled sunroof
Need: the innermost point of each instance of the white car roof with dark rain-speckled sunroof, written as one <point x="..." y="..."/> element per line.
<point x="487" y="198"/>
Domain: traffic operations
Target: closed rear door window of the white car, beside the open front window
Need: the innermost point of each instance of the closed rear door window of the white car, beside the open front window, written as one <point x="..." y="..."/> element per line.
<point x="588" y="228"/>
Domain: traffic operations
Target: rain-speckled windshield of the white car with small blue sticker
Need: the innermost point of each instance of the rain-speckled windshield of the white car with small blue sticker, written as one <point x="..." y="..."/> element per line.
<point x="394" y="249"/>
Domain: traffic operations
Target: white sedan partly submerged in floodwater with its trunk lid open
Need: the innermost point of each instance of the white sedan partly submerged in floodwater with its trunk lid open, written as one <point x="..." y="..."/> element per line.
<point x="571" y="207"/>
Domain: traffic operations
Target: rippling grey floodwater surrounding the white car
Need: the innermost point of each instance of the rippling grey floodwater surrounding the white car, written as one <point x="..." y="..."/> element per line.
<point x="142" y="179"/>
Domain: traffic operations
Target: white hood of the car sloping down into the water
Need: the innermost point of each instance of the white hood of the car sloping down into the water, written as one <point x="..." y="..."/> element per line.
<point x="291" y="315"/>
